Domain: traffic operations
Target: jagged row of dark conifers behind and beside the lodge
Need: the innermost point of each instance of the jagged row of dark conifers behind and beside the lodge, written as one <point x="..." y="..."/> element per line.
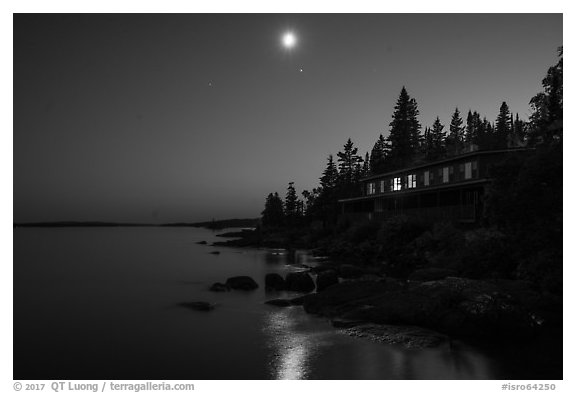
<point x="406" y="145"/>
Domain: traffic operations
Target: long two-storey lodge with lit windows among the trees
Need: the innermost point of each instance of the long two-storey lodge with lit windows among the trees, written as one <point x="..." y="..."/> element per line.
<point x="449" y="189"/>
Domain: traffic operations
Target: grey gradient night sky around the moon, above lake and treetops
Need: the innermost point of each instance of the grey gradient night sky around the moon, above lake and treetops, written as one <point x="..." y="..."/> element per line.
<point x="162" y="118"/>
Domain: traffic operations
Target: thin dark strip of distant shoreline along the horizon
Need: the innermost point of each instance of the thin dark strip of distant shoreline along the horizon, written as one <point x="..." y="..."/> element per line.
<point x="215" y="224"/>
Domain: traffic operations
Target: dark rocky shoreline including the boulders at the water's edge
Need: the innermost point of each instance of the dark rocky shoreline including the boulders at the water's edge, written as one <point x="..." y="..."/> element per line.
<point x="426" y="310"/>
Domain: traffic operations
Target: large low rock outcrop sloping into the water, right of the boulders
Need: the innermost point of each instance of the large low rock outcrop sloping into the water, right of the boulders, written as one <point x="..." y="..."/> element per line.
<point x="456" y="306"/>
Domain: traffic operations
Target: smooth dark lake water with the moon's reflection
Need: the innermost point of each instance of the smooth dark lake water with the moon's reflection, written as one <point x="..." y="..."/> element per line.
<point x="101" y="303"/>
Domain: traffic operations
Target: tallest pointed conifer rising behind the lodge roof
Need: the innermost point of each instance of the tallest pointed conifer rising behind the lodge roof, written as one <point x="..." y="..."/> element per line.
<point x="404" y="135"/>
